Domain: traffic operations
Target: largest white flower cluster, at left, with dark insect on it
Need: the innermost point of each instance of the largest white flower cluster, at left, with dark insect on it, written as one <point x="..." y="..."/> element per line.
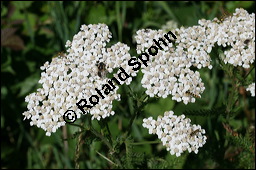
<point x="74" y="76"/>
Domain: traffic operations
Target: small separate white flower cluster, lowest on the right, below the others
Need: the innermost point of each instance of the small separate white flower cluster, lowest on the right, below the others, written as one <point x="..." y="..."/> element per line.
<point x="176" y="133"/>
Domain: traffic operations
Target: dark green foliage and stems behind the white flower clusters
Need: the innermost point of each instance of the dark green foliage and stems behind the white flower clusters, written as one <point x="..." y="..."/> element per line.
<point x="33" y="32"/>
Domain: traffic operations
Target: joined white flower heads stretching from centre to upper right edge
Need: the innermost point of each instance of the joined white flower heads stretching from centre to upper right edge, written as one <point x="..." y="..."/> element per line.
<point x="169" y="72"/>
